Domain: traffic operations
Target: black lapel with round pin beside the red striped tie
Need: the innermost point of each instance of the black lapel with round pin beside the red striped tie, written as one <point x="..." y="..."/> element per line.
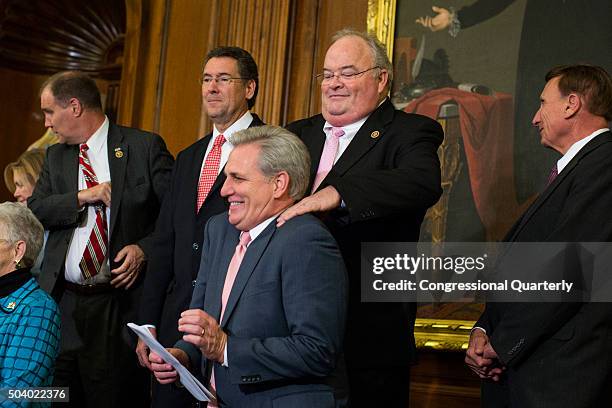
<point x="117" y="163"/>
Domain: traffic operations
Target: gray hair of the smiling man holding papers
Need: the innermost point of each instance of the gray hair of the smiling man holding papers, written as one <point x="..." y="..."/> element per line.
<point x="281" y="150"/>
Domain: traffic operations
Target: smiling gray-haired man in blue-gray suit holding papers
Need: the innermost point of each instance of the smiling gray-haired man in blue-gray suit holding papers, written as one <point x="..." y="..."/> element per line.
<point x="280" y="298"/>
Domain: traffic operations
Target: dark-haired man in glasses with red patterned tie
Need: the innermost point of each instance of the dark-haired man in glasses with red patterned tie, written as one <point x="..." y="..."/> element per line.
<point x="229" y="87"/>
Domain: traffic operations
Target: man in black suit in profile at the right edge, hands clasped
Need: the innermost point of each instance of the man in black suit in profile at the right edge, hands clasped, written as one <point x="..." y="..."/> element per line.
<point x="538" y="355"/>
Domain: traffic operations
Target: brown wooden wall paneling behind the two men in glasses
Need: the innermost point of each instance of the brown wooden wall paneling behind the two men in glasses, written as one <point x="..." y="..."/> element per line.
<point x="167" y="40"/>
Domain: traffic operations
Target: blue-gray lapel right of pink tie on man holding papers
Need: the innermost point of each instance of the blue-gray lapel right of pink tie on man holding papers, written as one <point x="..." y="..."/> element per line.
<point x="249" y="262"/>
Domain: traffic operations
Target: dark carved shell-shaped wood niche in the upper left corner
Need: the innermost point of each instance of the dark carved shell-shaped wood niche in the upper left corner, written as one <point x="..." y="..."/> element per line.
<point x="44" y="37"/>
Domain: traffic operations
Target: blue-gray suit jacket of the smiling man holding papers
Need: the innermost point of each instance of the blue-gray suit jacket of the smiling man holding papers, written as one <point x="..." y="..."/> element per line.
<point x="285" y="315"/>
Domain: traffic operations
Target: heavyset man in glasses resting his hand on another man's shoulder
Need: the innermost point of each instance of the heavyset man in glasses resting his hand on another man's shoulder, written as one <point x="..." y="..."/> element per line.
<point x="385" y="175"/>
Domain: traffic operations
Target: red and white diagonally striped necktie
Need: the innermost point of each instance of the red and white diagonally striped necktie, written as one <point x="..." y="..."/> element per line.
<point x="97" y="245"/>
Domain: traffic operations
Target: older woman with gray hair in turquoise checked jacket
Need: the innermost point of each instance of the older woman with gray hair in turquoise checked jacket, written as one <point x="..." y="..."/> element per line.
<point x="29" y="318"/>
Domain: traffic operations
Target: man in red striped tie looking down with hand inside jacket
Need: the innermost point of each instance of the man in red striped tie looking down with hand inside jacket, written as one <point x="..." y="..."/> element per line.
<point x="99" y="237"/>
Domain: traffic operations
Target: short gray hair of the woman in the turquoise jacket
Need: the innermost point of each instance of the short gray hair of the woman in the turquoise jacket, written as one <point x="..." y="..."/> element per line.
<point x="18" y="223"/>
